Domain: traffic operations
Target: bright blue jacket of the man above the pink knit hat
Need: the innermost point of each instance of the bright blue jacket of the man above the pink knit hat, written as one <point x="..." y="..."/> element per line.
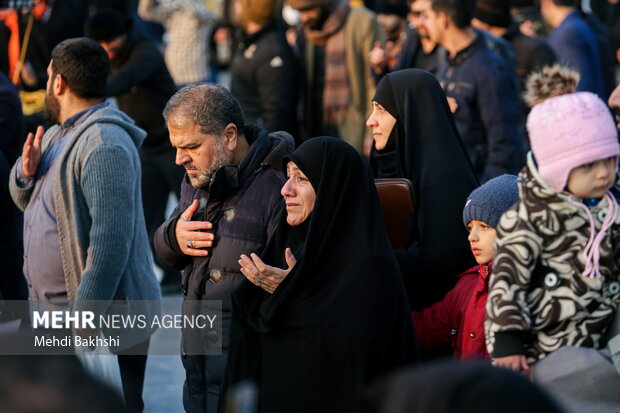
<point x="575" y="45"/>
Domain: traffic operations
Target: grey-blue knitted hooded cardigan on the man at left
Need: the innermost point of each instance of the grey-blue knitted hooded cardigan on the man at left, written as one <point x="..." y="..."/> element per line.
<point x="98" y="202"/>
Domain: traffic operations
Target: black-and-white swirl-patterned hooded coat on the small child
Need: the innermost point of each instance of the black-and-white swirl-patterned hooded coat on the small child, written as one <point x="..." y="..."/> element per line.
<point x="539" y="300"/>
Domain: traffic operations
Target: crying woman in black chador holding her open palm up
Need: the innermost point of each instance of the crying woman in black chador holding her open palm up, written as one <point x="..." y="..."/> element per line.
<point x="324" y="311"/>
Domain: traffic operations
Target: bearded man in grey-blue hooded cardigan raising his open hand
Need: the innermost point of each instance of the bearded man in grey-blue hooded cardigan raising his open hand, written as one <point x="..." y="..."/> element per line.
<point x="79" y="187"/>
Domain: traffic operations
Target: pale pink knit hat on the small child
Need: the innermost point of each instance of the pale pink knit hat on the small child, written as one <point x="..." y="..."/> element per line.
<point x="568" y="131"/>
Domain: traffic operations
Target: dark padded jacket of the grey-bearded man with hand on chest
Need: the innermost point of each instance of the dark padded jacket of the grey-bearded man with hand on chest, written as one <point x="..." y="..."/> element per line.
<point x="243" y="203"/>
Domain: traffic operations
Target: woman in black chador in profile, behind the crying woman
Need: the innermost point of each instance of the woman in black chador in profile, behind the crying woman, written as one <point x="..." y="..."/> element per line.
<point x="415" y="137"/>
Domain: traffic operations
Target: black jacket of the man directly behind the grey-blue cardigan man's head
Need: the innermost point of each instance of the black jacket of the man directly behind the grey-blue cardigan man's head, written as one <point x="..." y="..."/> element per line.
<point x="142" y="85"/>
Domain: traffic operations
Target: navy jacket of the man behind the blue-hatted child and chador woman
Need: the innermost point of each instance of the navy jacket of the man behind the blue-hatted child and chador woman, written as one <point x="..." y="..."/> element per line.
<point x="488" y="117"/>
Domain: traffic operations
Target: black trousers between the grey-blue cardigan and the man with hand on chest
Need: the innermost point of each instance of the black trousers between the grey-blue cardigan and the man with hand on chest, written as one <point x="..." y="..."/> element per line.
<point x="160" y="176"/>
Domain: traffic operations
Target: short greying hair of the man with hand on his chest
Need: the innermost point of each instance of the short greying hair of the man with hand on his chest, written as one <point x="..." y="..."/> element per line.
<point x="208" y="105"/>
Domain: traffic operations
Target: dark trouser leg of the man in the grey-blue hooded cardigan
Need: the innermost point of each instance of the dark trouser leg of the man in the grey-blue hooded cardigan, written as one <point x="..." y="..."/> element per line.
<point x="132" y="365"/>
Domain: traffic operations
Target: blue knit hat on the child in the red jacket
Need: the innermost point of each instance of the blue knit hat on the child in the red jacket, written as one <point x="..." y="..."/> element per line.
<point x="488" y="202"/>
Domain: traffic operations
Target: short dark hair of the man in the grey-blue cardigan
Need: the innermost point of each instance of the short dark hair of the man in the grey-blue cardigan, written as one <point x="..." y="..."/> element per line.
<point x="84" y="66"/>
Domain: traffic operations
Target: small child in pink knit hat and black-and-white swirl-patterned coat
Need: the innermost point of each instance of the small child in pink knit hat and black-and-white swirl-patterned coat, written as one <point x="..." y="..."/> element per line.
<point x="556" y="278"/>
